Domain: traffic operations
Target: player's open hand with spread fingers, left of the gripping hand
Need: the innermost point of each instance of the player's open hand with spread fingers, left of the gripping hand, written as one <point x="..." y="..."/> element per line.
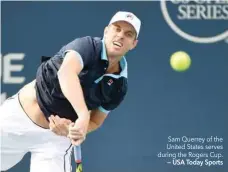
<point x="59" y="126"/>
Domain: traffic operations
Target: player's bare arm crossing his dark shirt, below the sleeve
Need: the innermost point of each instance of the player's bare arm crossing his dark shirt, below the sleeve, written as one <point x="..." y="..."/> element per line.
<point x="71" y="88"/>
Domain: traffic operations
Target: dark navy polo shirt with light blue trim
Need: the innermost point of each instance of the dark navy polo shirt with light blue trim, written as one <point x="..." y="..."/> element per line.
<point x="103" y="91"/>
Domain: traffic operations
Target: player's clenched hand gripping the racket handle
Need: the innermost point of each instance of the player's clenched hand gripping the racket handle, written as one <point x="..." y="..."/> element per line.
<point x="77" y="131"/>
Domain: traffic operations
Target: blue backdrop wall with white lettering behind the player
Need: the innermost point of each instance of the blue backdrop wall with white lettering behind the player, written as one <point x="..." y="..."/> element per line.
<point x="169" y="121"/>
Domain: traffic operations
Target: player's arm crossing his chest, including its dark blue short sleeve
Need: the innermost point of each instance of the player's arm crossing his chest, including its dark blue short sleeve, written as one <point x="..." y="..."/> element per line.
<point x="78" y="54"/>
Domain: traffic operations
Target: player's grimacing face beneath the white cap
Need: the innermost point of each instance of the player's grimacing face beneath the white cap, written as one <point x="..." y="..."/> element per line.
<point x="120" y="37"/>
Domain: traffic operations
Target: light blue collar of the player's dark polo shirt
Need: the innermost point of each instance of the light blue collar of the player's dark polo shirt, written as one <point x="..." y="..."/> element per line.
<point x="123" y="61"/>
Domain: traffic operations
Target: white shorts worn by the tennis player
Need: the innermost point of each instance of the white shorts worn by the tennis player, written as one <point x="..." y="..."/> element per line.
<point x="19" y="135"/>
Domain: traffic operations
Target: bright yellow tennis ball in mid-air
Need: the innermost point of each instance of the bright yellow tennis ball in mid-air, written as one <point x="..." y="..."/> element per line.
<point x="180" y="61"/>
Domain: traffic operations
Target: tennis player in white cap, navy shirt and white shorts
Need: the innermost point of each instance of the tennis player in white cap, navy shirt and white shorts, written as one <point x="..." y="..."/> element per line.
<point x="82" y="83"/>
